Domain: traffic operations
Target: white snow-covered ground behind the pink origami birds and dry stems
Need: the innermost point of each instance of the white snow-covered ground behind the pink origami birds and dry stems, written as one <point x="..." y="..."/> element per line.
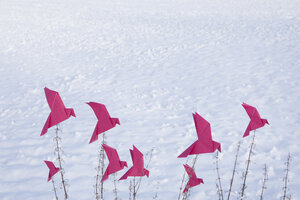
<point x="153" y="63"/>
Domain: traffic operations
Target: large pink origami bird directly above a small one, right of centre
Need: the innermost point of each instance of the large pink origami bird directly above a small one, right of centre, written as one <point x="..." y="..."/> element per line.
<point x="204" y="144"/>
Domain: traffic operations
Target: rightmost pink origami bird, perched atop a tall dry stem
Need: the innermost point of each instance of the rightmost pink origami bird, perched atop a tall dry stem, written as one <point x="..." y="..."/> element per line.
<point x="255" y="120"/>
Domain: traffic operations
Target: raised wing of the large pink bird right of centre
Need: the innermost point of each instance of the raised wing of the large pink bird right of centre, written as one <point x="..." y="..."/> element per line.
<point x="203" y="128"/>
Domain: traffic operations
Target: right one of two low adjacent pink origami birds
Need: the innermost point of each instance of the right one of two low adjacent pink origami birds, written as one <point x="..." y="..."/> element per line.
<point x="138" y="165"/>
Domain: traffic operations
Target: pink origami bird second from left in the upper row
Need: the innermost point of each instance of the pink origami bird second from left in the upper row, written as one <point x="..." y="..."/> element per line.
<point x="105" y="122"/>
